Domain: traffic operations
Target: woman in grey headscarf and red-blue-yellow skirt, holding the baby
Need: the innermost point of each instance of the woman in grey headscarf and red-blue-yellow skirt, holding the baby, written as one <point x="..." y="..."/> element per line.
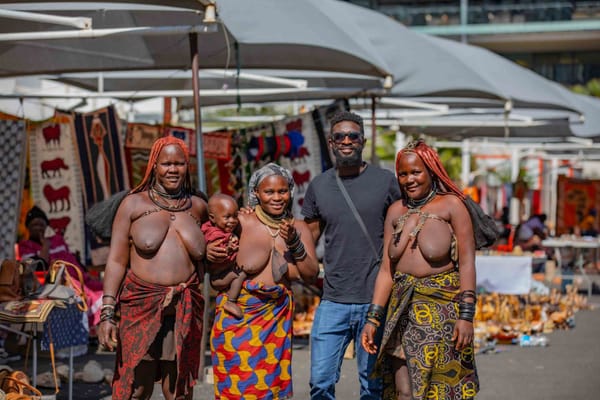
<point x="251" y="356"/>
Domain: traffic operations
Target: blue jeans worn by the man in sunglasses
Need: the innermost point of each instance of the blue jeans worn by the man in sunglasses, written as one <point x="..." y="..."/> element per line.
<point x="335" y="324"/>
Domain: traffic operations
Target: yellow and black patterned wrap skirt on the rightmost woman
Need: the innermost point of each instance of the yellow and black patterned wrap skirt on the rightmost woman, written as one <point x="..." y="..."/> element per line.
<point x="419" y="325"/>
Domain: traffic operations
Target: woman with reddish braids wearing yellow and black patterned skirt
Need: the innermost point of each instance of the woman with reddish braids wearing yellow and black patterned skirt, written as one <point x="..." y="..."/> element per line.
<point x="427" y="346"/>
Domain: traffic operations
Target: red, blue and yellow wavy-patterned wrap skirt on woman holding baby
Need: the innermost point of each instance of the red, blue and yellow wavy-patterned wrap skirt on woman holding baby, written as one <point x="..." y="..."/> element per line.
<point x="252" y="356"/>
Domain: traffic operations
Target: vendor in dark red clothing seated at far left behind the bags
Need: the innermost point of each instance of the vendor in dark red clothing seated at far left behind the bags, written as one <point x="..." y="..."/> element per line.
<point x="53" y="247"/>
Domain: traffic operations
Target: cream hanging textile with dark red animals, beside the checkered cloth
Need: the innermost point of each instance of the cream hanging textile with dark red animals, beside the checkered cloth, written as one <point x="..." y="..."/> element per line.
<point x="55" y="177"/>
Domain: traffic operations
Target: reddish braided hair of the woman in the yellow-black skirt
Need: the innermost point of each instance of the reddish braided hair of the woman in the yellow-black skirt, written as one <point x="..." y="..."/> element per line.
<point x="433" y="163"/>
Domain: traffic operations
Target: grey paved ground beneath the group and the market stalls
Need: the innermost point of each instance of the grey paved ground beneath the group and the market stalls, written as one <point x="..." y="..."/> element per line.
<point x="569" y="368"/>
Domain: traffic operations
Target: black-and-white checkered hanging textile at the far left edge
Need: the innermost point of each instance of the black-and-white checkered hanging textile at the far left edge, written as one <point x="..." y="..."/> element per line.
<point x="12" y="167"/>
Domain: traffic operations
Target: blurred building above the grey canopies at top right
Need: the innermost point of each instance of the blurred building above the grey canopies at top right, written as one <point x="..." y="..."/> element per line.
<point x="557" y="39"/>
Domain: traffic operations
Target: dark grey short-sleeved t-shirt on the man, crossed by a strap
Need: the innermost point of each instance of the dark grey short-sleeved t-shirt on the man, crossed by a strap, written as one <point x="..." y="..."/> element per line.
<point x="350" y="264"/>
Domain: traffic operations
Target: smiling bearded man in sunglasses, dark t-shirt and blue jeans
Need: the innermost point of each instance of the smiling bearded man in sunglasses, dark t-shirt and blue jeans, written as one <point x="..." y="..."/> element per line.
<point x="351" y="259"/>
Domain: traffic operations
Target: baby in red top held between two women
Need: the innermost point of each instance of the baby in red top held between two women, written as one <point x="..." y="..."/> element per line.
<point x="221" y="227"/>
